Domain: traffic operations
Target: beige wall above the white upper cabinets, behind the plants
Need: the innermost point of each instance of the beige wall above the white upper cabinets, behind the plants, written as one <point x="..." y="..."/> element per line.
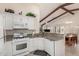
<point x="17" y="7"/>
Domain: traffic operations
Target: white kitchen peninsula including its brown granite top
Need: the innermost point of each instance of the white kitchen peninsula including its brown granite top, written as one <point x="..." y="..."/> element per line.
<point x="52" y="43"/>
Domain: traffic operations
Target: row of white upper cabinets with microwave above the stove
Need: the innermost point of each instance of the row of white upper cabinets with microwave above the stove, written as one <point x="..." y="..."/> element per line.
<point x="18" y="21"/>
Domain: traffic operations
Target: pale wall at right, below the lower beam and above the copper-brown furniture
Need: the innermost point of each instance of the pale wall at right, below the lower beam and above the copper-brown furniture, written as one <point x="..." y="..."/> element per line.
<point x="69" y="27"/>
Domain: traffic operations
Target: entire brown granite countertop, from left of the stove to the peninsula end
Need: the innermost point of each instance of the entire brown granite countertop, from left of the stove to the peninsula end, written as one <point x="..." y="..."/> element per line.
<point x="49" y="36"/>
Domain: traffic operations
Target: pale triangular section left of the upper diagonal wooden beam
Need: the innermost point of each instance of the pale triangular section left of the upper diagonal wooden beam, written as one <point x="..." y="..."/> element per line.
<point x="46" y="8"/>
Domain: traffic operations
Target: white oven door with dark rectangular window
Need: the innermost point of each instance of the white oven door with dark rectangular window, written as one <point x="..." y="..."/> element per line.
<point x="20" y="47"/>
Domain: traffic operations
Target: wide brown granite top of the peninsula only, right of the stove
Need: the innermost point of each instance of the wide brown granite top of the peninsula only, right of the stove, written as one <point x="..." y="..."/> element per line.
<point x="49" y="36"/>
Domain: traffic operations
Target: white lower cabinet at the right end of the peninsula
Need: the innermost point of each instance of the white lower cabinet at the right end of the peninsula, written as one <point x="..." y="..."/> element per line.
<point x="55" y="48"/>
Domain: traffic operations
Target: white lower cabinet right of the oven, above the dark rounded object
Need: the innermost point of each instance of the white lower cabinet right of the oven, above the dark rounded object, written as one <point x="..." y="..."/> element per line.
<point x="36" y="44"/>
